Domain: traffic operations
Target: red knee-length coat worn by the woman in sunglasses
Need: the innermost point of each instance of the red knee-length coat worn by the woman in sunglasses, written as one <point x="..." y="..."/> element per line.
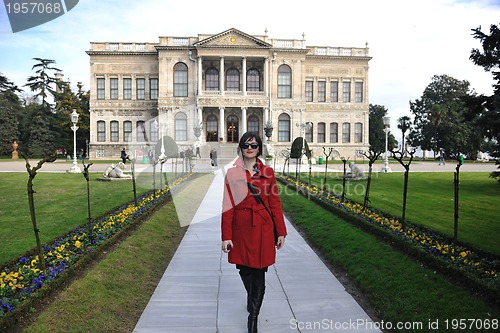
<point x="247" y="223"/>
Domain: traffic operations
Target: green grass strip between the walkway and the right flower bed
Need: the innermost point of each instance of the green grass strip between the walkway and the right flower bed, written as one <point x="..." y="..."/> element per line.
<point x="398" y="288"/>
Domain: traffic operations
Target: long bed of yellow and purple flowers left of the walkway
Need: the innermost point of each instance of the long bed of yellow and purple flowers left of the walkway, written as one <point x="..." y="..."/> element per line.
<point x="22" y="281"/>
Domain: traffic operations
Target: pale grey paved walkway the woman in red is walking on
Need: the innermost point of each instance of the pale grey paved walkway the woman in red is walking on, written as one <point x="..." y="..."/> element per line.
<point x="201" y="292"/>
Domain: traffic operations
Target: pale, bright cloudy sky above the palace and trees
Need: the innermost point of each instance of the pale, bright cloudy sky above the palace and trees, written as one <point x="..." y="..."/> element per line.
<point x="410" y="41"/>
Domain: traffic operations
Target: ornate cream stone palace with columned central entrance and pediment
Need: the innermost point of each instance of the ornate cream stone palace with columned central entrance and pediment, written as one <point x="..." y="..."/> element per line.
<point x="210" y="89"/>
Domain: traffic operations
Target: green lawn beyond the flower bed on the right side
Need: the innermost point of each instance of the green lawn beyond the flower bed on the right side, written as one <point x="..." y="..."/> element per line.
<point x="430" y="202"/>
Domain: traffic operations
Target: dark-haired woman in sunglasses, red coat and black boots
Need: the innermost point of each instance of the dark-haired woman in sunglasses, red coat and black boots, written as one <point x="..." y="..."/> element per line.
<point x="248" y="230"/>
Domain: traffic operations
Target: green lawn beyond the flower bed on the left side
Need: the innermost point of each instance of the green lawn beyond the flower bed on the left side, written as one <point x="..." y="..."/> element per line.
<point x="60" y="205"/>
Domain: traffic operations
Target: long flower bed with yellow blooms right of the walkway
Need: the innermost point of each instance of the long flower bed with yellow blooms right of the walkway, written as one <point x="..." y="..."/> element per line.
<point x="477" y="270"/>
